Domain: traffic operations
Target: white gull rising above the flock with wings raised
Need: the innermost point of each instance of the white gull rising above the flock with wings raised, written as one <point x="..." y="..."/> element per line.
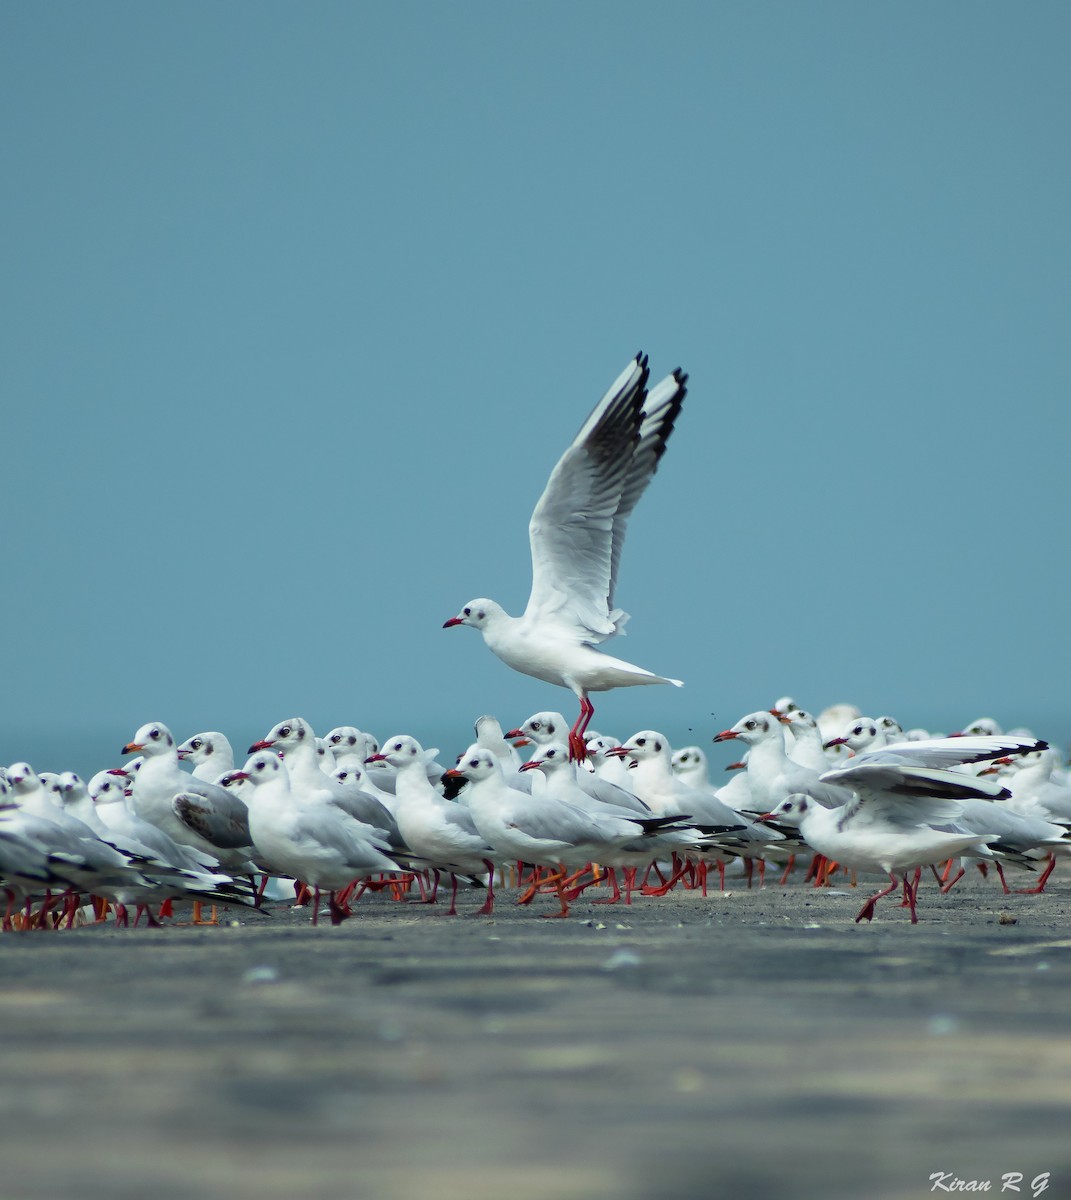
<point x="577" y="535"/>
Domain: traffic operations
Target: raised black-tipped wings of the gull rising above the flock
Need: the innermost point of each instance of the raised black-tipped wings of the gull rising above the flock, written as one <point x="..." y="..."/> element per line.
<point x="578" y="529"/>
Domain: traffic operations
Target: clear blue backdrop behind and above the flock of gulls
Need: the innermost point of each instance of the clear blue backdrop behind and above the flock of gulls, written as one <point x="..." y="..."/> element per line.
<point x="303" y="302"/>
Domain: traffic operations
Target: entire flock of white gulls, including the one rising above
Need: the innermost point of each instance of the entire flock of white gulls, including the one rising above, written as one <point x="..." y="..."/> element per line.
<point x="334" y="817"/>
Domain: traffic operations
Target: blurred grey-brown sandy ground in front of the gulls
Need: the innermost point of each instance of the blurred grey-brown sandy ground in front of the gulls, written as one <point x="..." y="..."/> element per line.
<point x="744" y="1045"/>
